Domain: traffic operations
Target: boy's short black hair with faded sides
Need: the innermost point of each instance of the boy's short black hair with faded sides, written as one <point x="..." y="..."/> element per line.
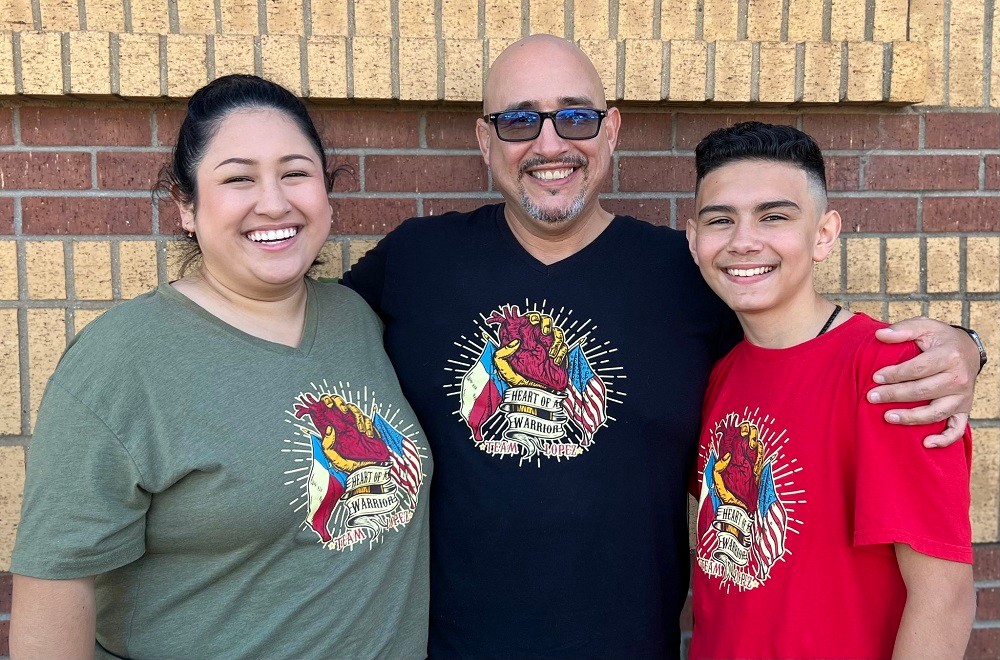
<point x="754" y="140"/>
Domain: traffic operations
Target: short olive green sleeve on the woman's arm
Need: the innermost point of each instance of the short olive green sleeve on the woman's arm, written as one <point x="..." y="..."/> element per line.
<point x="84" y="508"/>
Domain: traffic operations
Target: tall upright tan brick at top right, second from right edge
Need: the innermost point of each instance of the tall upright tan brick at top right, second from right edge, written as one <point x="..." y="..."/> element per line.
<point x="965" y="55"/>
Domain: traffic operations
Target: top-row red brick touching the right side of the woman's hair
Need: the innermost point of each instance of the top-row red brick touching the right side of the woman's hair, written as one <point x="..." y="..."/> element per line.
<point x="382" y="129"/>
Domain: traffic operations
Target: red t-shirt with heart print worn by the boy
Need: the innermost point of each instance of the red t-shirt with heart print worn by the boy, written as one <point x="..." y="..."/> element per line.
<point x="803" y="490"/>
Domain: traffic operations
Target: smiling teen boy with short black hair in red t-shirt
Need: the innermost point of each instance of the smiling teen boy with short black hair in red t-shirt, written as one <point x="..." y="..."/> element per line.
<point x="823" y="531"/>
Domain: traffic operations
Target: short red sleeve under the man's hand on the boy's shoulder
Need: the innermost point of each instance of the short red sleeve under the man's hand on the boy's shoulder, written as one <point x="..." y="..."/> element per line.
<point x="905" y="493"/>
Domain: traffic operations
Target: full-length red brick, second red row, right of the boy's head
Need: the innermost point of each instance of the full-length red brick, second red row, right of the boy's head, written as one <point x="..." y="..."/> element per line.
<point x="922" y="173"/>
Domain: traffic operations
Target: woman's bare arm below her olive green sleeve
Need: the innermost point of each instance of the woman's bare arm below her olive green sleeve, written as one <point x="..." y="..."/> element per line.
<point x="52" y="618"/>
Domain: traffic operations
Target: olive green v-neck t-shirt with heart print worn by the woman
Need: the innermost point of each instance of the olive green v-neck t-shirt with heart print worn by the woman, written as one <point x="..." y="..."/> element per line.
<point x="233" y="496"/>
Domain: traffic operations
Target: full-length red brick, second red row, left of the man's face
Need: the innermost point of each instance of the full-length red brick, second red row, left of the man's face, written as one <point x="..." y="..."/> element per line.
<point x="425" y="173"/>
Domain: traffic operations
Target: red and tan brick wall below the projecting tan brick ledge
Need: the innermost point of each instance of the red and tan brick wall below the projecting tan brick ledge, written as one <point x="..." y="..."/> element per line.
<point x="918" y="190"/>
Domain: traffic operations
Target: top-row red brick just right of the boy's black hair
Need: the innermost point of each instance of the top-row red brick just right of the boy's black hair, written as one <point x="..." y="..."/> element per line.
<point x="867" y="131"/>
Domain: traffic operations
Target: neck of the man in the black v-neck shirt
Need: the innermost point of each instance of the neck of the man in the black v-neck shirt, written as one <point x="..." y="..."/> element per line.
<point x="550" y="243"/>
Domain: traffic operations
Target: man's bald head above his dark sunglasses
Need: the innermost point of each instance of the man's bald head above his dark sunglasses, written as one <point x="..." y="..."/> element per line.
<point x="542" y="66"/>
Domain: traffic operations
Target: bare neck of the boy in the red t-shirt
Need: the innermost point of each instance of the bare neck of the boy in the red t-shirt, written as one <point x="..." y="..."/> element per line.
<point x="790" y="325"/>
